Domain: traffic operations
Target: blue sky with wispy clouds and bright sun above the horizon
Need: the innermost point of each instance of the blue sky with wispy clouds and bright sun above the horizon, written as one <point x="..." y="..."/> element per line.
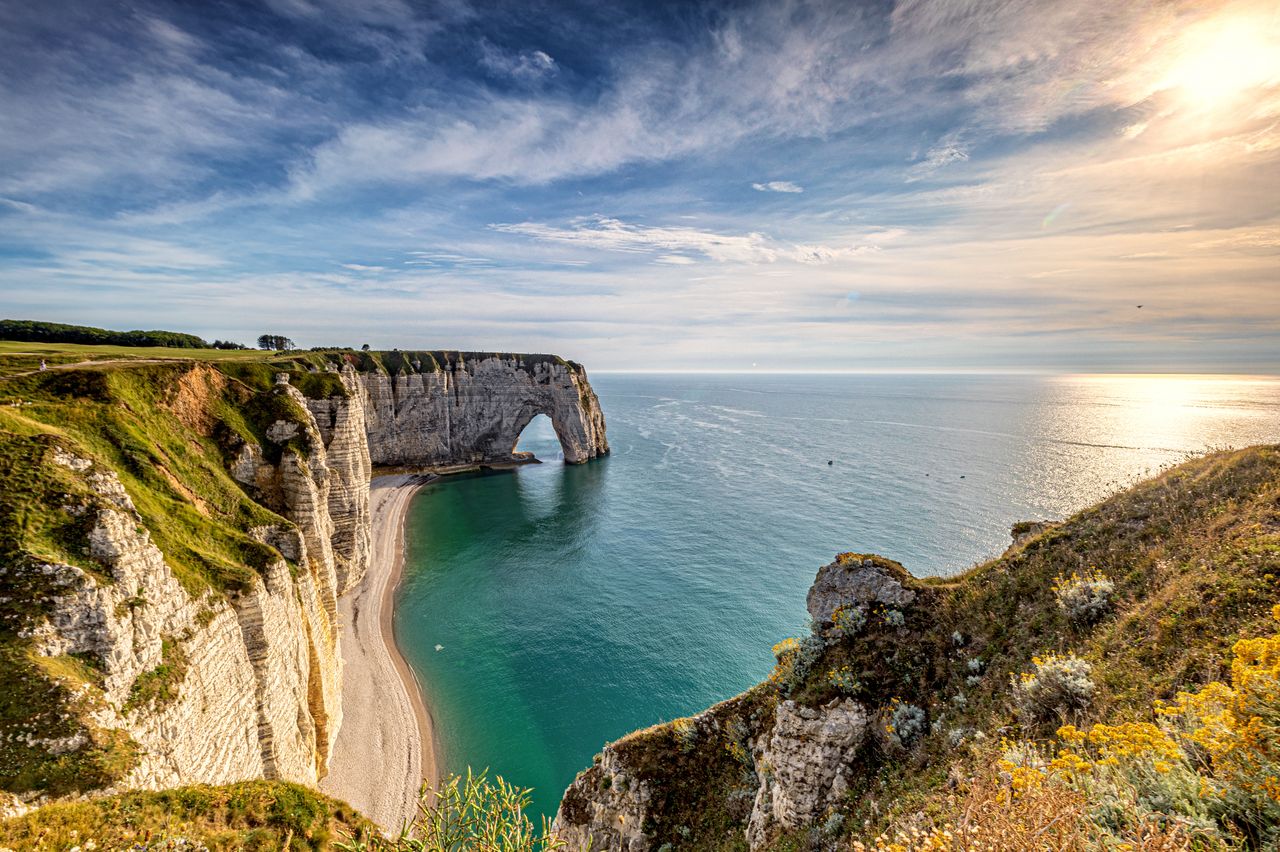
<point x="922" y="185"/>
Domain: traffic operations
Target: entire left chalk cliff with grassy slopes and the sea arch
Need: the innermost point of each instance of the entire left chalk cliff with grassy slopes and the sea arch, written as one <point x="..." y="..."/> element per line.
<point x="170" y="617"/>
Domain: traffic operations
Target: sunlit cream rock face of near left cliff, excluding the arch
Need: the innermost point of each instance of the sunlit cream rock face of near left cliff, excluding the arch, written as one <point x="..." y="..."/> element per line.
<point x="263" y="686"/>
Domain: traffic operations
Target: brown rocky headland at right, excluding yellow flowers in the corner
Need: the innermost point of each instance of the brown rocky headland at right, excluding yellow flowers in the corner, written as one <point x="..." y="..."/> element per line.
<point x="902" y="695"/>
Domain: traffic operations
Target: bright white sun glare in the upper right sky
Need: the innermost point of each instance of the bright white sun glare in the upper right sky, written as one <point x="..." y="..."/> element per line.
<point x="1223" y="59"/>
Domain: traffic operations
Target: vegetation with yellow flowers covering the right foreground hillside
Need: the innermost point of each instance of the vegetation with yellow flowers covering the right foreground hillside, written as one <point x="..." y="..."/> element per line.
<point x="1140" y="630"/>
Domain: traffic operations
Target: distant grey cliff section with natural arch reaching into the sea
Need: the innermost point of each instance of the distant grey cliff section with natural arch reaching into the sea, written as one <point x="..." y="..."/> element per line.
<point x="472" y="407"/>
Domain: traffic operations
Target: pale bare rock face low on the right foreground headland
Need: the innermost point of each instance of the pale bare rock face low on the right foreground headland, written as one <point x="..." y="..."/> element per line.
<point x="807" y="762"/>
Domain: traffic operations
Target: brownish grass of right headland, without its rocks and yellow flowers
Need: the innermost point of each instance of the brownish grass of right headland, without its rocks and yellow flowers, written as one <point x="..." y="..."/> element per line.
<point x="1195" y="556"/>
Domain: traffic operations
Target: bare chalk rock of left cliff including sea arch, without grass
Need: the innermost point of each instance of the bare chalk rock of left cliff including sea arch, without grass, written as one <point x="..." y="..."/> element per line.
<point x="252" y="676"/>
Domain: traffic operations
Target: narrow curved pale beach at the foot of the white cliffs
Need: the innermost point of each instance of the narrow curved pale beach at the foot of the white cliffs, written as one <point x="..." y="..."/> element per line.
<point x="386" y="745"/>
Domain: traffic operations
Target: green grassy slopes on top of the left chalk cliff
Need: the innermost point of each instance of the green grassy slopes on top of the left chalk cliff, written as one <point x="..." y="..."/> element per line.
<point x="168" y="430"/>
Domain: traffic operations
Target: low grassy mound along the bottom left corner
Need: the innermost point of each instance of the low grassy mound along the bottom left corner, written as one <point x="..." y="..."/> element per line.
<point x="250" y="816"/>
